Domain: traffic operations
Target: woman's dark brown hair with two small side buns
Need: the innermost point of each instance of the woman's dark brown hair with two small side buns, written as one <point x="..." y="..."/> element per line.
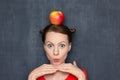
<point x="57" y="28"/>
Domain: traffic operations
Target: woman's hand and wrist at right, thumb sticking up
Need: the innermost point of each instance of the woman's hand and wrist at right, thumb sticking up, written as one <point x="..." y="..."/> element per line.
<point x="72" y="69"/>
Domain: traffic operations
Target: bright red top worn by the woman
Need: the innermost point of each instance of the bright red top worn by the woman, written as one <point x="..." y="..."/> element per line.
<point x="70" y="76"/>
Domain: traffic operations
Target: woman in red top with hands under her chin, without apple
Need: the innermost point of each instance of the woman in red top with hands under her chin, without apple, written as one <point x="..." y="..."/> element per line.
<point x="57" y="40"/>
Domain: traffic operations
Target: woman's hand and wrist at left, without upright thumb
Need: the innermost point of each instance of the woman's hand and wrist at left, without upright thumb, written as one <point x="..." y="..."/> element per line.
<point x="42" y="70"/>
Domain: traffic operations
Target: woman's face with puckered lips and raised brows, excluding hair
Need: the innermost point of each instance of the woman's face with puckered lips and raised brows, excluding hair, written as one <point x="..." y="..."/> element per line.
<point x="57" y="47"/>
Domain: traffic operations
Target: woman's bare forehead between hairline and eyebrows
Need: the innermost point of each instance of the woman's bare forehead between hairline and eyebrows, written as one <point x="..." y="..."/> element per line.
<point x="55" y="37"/>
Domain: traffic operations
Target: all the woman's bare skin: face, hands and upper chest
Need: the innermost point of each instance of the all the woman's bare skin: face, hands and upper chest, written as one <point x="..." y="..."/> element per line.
<point x="57" y="47"/>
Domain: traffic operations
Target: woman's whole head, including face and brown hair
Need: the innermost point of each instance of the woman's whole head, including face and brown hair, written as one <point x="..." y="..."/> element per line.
<point x="57" y="43"/>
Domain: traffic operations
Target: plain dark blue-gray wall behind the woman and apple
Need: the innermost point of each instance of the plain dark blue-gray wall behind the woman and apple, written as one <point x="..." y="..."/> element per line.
<point x="96" y="44"/>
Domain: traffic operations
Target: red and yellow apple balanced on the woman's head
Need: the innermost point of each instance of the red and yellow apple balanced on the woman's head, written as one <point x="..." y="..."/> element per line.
<point x="56" y="17"/>
